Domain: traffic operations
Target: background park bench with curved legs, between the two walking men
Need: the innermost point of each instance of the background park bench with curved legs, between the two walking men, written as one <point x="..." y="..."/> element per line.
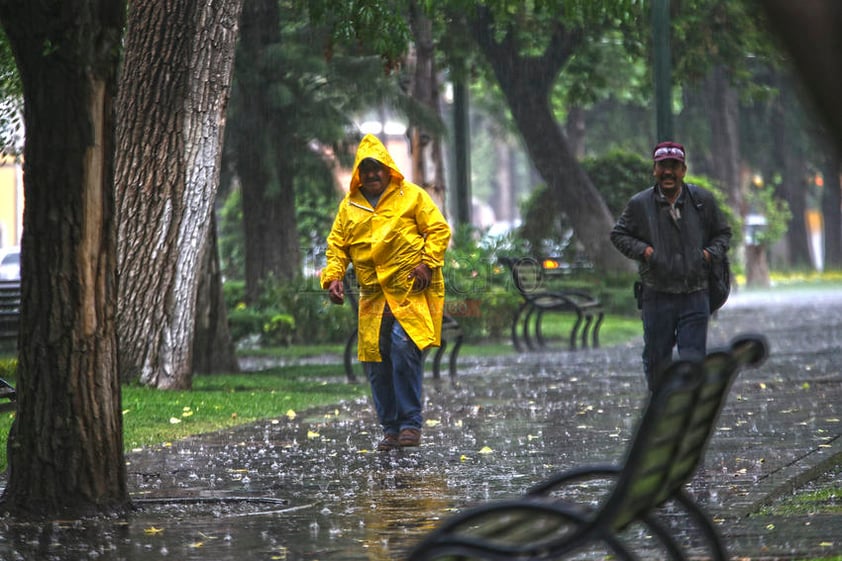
<point x="532" y="280"/>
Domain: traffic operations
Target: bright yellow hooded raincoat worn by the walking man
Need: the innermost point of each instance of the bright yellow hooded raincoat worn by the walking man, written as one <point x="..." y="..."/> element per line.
<point x="385" y="244"/>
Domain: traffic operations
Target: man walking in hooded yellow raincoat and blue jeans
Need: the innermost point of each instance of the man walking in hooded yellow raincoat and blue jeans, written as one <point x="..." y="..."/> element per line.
<point x="395" y="236"/>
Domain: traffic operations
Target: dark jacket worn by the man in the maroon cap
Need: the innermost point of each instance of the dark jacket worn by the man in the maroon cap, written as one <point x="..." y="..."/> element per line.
<point x="678" y="265"/>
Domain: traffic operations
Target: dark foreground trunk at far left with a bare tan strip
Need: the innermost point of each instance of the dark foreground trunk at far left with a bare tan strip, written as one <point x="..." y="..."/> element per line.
<point x="66" y="450"/>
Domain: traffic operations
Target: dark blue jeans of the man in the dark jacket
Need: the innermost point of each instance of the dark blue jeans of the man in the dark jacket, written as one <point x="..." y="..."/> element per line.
<point x="670" y="320"/>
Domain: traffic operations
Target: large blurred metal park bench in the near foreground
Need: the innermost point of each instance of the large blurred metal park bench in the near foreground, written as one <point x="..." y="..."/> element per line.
<point x="551" y="521"/>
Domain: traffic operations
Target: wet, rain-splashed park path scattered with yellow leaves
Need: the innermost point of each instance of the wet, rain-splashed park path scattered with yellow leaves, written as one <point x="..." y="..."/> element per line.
<point x="313" y="488"/>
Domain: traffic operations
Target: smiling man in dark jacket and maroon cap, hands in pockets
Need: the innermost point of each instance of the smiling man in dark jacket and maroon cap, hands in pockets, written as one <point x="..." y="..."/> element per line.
<point x="674" y="231"/>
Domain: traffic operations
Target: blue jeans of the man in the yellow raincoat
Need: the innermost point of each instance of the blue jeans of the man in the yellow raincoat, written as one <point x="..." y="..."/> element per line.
<point x="396" y="381"/>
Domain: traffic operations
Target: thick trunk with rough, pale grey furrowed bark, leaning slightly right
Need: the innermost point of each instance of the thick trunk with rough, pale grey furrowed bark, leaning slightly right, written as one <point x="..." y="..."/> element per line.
<point x="173" y="91"/>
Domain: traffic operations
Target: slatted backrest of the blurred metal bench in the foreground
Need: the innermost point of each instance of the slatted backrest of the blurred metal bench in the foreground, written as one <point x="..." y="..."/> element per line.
<point x="674" y="432"/>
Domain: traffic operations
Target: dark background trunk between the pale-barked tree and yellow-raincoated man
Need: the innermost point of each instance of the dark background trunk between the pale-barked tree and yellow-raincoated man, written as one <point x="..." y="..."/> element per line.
<point x="270" y="226"/>
